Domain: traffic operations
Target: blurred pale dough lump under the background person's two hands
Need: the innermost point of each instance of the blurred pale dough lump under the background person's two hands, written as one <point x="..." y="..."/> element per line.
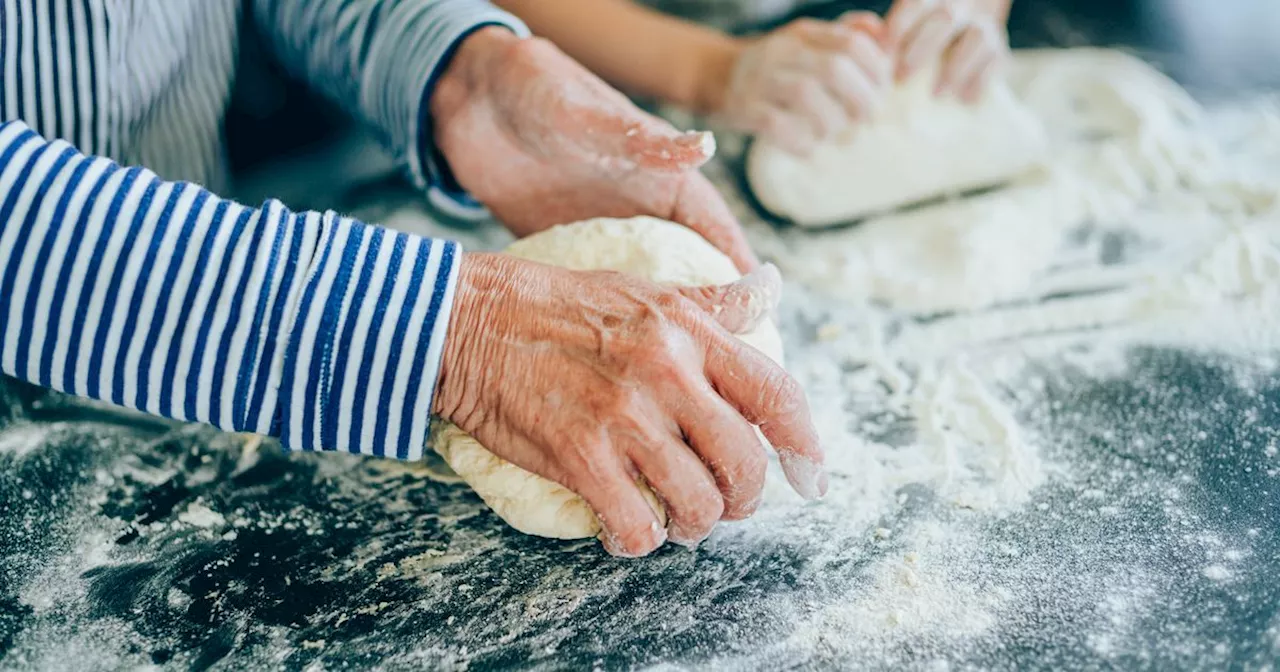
<point x="918" y="148"/>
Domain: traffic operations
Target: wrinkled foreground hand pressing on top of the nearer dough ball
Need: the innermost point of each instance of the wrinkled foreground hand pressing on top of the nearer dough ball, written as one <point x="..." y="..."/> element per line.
<point x="597" y="380"/>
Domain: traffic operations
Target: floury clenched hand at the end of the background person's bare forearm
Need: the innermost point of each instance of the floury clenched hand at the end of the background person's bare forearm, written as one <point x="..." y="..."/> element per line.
<point x="808" y="80"/>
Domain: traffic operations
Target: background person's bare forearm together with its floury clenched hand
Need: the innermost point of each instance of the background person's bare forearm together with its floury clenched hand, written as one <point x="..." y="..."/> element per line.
<point x="794" y="86"/>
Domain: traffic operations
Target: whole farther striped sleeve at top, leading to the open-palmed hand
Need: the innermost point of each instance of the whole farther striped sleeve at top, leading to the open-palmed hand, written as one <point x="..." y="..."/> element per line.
<point x="382" y="60"/>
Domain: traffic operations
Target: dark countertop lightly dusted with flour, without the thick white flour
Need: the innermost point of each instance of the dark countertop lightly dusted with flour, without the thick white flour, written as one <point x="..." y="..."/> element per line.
<point x="127" y="542"/>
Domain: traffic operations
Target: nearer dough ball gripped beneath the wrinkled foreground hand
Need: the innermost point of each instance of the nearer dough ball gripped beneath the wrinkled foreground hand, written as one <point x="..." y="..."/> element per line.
<point x="650" y="248"/>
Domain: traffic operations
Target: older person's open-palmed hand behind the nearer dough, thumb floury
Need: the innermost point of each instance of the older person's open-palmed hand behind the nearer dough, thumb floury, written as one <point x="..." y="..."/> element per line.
<point x="542" y="141"/>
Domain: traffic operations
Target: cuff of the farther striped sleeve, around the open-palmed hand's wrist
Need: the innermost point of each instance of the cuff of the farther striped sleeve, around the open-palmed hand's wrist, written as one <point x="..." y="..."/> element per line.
<point x="412" y="52"/>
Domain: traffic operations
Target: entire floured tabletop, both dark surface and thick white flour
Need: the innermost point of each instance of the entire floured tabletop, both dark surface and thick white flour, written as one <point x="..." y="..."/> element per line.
<point x="1069" y="464"/>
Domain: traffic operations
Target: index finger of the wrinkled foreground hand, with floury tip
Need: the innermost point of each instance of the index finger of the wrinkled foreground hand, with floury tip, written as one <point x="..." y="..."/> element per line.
<point x="770" y="399"/>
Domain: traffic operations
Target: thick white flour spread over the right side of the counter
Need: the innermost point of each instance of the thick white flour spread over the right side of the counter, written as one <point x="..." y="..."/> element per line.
<point x="1156" y="225"/>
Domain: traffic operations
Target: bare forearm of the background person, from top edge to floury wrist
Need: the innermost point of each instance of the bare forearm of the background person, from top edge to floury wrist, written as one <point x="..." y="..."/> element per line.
<point x="637" y="49"/>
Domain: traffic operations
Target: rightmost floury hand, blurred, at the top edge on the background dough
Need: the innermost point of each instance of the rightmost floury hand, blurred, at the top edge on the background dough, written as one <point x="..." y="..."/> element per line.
<point x="966" y="42"/>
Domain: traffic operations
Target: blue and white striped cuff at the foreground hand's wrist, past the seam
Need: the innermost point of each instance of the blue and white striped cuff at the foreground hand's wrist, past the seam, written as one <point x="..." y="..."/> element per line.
<point x="364" y="356"/>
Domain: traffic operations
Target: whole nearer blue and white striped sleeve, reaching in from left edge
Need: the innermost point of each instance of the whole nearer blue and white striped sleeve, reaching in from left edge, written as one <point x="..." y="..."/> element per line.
<point x="162" y="298"/>
